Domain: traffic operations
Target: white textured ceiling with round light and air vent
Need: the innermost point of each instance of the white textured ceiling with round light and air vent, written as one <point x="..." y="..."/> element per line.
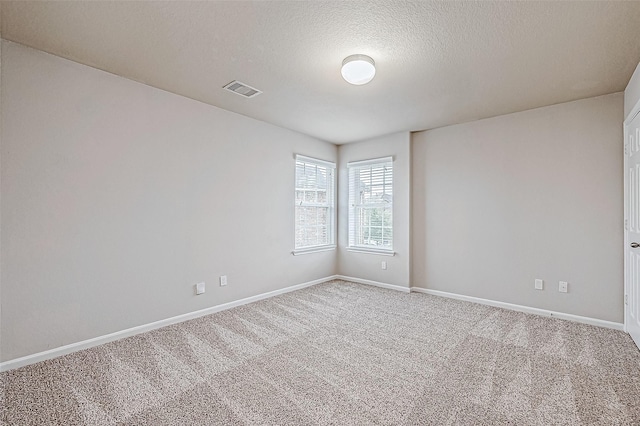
<point x="438" y="63"/>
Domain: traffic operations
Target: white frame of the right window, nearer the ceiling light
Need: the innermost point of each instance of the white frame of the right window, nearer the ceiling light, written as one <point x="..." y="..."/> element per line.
<point x="356" y="206"/>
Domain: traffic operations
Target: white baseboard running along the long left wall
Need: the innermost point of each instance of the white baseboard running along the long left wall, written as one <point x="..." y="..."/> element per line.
<point x="100" y="340"/>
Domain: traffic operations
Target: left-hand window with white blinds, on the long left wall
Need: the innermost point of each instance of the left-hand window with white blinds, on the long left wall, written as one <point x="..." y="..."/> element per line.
<point x="314" y="205"/>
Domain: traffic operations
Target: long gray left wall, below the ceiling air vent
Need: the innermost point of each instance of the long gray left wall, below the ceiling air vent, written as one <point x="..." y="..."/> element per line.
<point x="117" y="198"/>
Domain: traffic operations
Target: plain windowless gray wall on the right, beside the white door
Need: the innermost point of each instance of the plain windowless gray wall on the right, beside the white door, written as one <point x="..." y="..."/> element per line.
<point x="500" y="202"/>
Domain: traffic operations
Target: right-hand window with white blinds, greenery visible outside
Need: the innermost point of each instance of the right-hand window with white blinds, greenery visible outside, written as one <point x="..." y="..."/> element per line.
<point x="371" y="205"/>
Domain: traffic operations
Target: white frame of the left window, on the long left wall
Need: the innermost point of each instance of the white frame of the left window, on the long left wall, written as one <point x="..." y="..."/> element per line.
<point x="330" y="204"/>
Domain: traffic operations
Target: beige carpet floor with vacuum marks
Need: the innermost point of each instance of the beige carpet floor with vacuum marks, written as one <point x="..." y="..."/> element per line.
<point x="341" y="353"/>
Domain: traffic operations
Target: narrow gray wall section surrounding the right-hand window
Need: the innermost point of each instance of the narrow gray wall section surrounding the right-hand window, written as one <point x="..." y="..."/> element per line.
<point x="367" y="265"/>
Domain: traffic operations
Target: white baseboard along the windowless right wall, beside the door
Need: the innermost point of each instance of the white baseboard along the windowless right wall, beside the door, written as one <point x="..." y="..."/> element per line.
<point x="521" y="308"/>
